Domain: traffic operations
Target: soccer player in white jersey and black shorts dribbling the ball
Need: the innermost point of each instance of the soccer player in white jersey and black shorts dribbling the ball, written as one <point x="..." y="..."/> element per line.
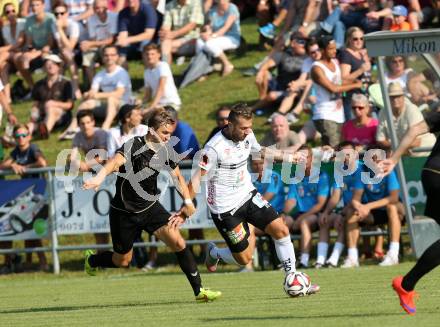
<point x="233" y="200"/>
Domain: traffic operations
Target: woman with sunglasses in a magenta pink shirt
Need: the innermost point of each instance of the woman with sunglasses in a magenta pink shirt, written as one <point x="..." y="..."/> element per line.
<point x="361" y="130"/>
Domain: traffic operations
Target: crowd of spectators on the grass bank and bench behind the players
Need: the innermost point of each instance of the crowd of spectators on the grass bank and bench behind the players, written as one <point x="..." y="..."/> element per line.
<point x="316" y="66"/>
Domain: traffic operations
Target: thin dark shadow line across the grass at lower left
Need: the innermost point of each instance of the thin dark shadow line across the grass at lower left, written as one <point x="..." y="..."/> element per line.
<point x="88" y="307"/>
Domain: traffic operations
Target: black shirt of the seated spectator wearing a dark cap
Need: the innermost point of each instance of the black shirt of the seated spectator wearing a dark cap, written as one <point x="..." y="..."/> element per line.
<point x="289" y="68"/>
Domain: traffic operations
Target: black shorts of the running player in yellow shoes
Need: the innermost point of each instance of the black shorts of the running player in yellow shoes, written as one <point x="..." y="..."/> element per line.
<point x="126" y="226"/>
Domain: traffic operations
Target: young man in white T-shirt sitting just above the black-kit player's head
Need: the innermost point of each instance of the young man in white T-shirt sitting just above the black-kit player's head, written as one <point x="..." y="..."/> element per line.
<point x="158" y="80"/>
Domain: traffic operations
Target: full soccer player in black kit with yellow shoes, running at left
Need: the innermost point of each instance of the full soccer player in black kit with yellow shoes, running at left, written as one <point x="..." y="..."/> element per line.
<point x="135" y="206"/>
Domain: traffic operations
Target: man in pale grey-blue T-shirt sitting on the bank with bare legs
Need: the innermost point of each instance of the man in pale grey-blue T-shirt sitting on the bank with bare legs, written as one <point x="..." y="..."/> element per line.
<point x="110" y="89"/>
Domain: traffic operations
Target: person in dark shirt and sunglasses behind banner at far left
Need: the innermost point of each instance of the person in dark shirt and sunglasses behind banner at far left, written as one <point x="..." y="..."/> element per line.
<point x="26" y="155"/>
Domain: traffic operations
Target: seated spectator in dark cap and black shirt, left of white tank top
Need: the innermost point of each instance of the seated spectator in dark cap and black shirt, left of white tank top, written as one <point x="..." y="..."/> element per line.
<point x="288" y="62"/>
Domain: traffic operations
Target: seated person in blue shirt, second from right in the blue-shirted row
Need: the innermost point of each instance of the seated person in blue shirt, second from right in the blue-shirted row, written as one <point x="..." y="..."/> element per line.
<point x="340" y="198"/>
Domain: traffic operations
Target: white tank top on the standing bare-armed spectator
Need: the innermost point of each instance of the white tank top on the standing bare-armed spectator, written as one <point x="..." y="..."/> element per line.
<point x="328" y="105"/>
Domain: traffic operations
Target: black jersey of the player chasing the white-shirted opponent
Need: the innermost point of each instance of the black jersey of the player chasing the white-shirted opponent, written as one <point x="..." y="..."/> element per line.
<point x="136" y="185"/>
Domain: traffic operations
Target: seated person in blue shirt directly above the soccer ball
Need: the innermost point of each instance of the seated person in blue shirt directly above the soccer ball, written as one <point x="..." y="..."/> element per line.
<point x="308" y="197"/>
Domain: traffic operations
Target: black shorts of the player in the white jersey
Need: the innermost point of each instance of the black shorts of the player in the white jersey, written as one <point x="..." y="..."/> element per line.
<point x="233" y="225"/>
